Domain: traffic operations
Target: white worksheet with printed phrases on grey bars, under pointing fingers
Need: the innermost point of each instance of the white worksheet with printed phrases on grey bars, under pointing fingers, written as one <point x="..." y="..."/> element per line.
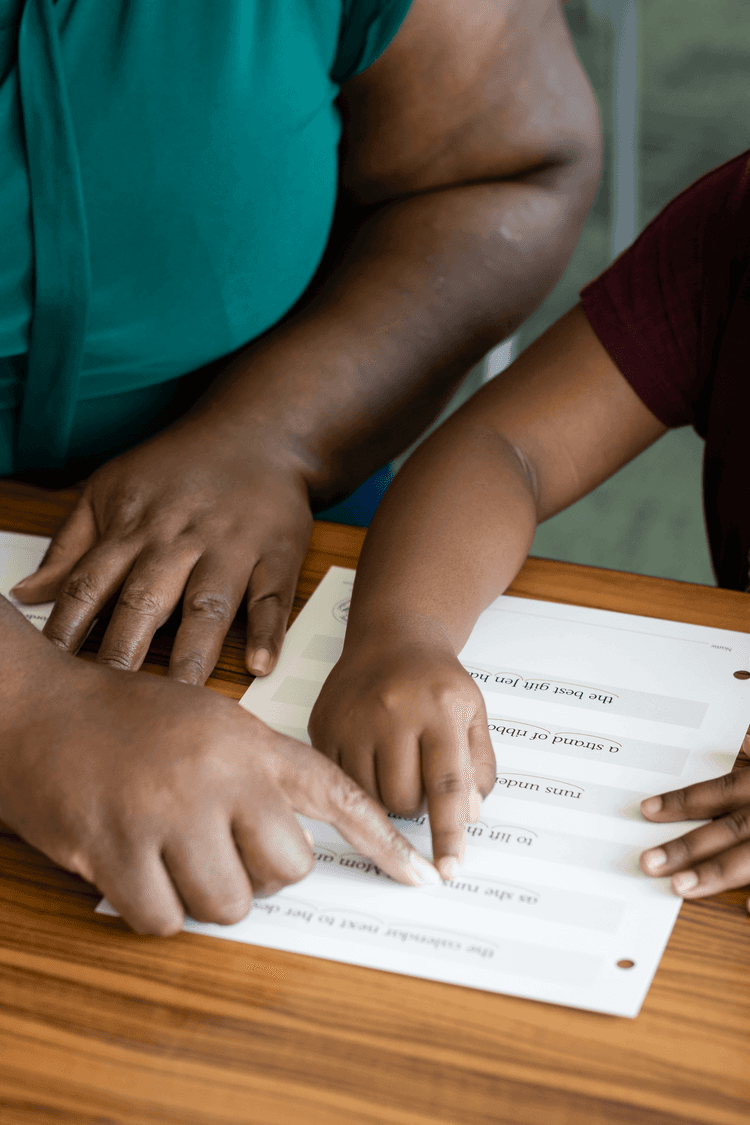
<point x="589" y="713"/>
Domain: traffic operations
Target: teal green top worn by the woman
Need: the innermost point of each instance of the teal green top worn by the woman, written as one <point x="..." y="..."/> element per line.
<point x="168" y="178"/>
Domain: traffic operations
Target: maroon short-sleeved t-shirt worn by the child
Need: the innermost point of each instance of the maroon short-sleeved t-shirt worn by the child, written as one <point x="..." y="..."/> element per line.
<point x="674" y="314"/>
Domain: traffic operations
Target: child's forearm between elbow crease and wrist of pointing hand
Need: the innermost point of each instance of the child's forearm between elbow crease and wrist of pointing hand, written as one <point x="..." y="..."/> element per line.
<point x="449" y="538"/>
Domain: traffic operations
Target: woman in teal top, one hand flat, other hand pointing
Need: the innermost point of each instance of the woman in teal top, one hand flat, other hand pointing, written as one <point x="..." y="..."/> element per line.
<point x="178" y="289"/>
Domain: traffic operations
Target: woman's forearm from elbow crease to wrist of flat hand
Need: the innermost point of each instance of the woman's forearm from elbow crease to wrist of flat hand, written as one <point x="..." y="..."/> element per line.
<point x="421" y="292"/>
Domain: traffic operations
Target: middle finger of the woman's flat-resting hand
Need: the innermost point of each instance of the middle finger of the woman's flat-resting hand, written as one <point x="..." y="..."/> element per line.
<point x="150" y="595"/>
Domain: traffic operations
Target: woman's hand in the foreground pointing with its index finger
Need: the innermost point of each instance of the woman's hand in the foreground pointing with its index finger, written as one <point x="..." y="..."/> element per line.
<point x="169" y="798"/>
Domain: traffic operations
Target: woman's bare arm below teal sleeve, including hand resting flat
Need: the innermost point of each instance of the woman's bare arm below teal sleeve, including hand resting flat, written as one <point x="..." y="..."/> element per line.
<point x="463" y="190"/>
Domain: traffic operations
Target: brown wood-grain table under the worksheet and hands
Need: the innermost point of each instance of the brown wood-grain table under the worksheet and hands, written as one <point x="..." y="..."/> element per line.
<point x="100" y="1027"/>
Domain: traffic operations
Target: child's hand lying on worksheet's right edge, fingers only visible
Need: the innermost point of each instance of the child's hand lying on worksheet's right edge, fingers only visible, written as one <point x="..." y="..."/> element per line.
<point x="715" y="858"/>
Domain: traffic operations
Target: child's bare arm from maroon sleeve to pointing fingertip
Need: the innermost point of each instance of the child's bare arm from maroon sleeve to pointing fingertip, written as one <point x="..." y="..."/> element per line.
<point x="399" y="713"/>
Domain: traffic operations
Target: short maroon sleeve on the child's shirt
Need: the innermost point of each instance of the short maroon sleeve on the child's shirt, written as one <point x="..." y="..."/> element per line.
<point x="657" y="308"/>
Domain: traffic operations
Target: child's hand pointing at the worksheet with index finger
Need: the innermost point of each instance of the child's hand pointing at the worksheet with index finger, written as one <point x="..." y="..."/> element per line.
<point x="408" y="723"/>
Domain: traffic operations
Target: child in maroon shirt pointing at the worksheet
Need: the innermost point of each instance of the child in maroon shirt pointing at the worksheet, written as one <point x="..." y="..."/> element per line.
<point x="661" y="340"/>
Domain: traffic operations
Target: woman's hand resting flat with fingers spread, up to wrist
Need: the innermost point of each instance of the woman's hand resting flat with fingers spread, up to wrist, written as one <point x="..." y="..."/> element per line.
<point x="197" y="514"/>
